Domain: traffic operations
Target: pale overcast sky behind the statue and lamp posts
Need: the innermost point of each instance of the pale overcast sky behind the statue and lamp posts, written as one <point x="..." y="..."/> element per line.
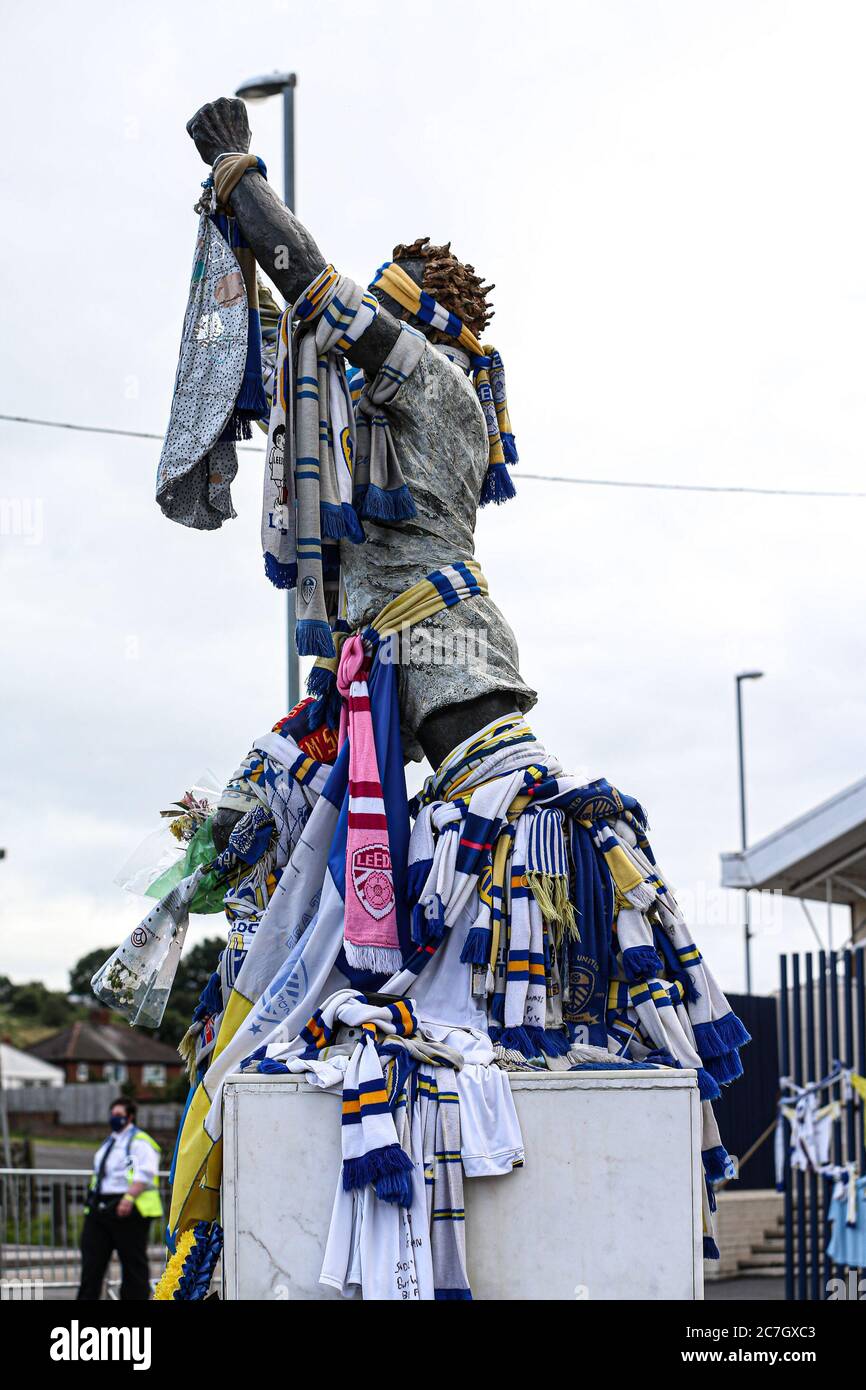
<point x="671" y="201"/>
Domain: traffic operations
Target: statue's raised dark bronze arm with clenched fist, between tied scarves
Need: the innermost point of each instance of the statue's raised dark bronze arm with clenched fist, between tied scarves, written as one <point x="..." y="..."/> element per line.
<point x="283" y="247"/>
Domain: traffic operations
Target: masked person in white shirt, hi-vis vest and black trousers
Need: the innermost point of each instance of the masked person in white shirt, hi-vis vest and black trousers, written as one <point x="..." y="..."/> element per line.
<point x="123" y="1200"/>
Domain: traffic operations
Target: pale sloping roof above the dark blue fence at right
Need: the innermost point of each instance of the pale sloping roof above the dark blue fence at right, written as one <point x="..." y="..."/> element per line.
<point x="828" y="843"/>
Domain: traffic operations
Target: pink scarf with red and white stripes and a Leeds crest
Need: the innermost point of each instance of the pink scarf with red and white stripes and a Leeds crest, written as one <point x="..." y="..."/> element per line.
<point x="370" y="931"/>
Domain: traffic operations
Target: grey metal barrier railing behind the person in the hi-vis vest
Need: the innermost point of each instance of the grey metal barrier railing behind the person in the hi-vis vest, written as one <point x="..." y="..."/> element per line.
<point x="42" y="1213"/>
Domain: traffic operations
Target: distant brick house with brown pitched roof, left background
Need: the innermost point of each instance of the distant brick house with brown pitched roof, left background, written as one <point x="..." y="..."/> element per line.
<point x="94" y="1052"/>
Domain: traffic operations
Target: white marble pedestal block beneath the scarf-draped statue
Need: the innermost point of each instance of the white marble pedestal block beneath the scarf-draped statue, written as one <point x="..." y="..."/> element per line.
<point x="607" y="1207"/>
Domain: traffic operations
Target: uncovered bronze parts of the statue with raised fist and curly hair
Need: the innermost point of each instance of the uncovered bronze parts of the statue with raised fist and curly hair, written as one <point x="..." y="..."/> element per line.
<point x="443" y="445"/>
